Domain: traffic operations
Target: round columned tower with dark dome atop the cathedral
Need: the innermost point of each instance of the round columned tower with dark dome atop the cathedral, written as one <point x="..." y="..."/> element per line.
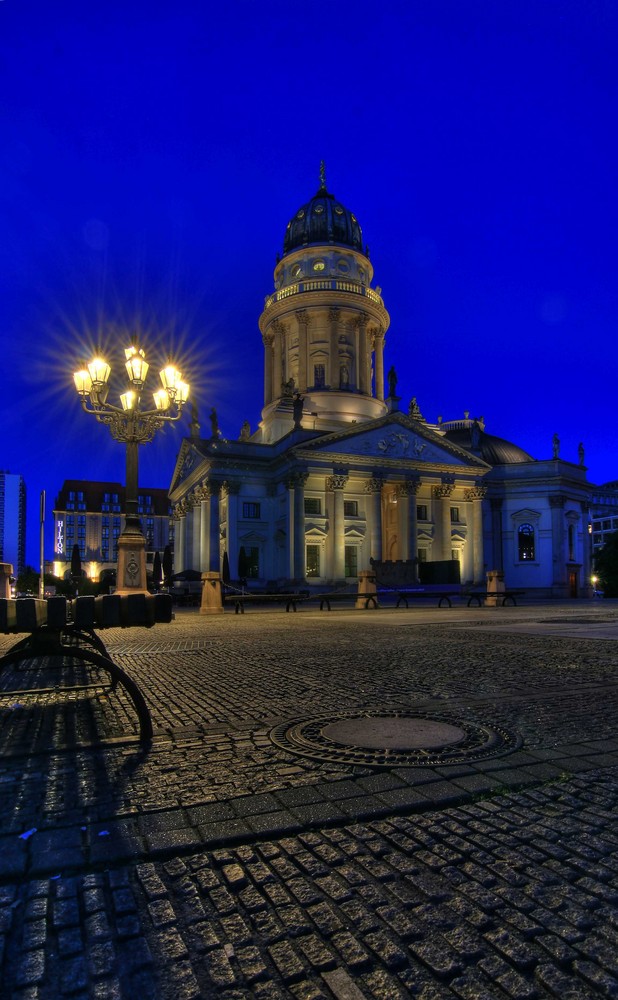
<point x="323" y="328"/>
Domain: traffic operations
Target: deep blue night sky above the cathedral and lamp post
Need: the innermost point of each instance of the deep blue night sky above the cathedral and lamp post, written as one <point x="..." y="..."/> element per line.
<point x="152" y="154"/>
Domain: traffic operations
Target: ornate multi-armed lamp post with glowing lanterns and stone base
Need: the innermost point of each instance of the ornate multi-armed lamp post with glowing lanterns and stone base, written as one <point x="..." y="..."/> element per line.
<point x="132" y="426"/>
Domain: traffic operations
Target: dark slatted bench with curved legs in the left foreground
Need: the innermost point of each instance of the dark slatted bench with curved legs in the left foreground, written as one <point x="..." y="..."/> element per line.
<point x="58" y="627"/>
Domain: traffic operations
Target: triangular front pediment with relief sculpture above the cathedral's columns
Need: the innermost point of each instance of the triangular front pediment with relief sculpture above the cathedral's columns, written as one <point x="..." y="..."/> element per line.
<point x="394" y="438"/>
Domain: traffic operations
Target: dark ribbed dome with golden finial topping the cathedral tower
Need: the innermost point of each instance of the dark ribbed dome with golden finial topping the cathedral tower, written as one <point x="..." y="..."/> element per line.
<point x="323" y="220"/>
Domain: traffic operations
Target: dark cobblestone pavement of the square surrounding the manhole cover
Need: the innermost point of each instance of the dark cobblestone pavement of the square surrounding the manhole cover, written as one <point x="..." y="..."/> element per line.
<point x="223" y="861"/>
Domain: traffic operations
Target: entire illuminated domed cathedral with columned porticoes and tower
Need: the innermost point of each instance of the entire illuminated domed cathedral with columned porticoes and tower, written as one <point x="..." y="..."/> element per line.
<point x="337" y="476"/>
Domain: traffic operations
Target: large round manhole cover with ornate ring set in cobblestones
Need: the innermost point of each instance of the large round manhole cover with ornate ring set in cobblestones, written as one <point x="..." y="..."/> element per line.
<point x="396" y="739"/>
